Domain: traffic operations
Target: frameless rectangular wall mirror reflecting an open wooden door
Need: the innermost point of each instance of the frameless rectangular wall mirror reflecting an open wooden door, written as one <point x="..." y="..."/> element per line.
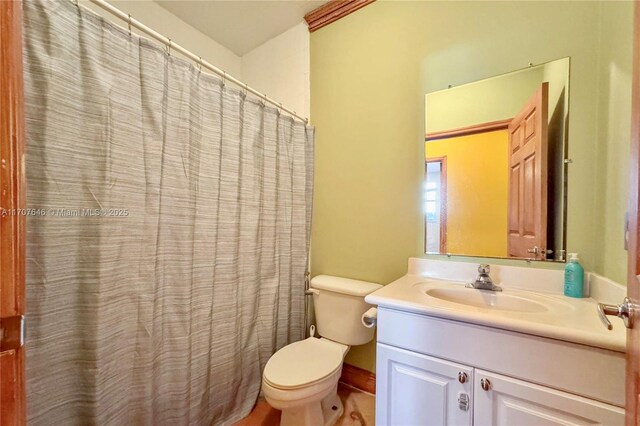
<point x="496" y="165"/>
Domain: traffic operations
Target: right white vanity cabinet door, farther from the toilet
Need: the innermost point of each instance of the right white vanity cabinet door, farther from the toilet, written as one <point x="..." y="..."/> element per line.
<point x="506" y="401"/>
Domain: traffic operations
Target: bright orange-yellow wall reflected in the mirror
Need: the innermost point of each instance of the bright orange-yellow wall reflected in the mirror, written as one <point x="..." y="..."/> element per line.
<point x="477" y="183"/>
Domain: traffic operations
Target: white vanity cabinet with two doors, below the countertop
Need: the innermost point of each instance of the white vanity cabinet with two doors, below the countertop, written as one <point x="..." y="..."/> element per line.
<point x="433" y="371"/>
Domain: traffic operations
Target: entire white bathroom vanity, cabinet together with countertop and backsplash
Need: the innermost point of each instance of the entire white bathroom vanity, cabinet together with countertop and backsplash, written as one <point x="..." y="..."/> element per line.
<point x="450" y="355"/>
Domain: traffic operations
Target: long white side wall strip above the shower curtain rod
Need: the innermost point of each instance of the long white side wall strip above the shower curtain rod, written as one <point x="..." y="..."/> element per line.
<point x="159" y="19"/>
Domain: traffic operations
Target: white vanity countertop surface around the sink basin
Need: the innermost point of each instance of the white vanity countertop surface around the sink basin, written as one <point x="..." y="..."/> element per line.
<point x="563" y="318"/>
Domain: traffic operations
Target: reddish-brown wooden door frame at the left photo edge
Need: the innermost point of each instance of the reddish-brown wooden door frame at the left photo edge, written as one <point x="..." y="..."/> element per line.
<point x="12" y="203"/>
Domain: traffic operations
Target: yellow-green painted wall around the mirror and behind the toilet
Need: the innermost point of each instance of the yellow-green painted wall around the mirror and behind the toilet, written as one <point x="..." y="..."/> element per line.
<point x="369" y="74"/>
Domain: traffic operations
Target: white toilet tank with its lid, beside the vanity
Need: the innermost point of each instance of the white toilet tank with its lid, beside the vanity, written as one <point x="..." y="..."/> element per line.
<point x="339" y="304"/>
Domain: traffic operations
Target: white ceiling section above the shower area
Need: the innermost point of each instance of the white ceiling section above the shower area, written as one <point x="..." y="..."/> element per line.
<point x="241" y="25"/>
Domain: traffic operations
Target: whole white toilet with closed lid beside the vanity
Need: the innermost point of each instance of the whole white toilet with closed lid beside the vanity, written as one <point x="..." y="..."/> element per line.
<point x="301" y="379"/>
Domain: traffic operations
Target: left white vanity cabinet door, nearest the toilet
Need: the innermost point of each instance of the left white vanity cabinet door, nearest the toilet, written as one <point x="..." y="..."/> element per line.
<point x="415" y="389"/>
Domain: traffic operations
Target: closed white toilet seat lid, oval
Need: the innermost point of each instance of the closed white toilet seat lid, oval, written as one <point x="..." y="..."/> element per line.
<point x="303" y="363"/>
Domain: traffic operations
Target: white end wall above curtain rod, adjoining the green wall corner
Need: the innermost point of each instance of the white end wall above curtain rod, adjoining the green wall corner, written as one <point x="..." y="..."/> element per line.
<point x="280" y="69"/>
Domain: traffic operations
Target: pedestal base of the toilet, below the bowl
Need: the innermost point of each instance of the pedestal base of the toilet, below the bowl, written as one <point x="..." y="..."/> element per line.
<point x="320" y="413"/>
